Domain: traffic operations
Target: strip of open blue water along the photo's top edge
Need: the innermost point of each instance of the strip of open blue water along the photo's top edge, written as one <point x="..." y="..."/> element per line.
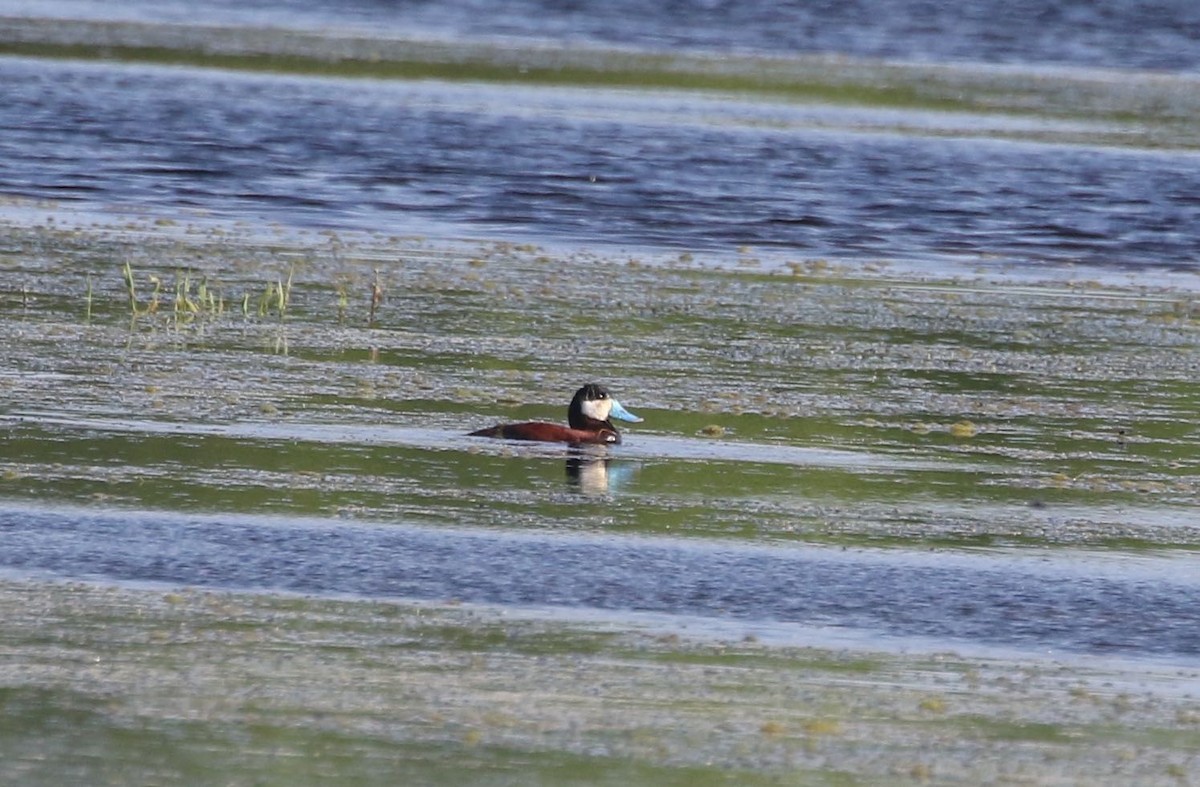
<point x="1123" y="34"/>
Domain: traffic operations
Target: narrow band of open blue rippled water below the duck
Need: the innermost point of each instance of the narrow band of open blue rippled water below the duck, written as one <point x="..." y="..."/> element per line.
<point x="1063" y="605"/>
